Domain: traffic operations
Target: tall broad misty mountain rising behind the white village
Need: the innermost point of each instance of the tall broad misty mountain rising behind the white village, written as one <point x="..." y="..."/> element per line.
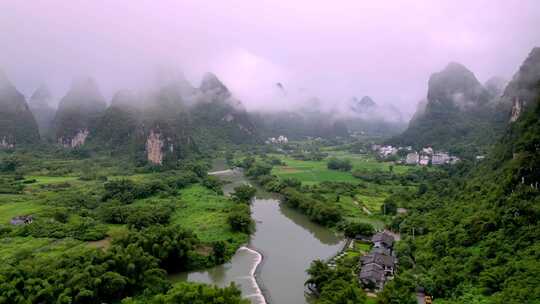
<point x="457" y="114"/>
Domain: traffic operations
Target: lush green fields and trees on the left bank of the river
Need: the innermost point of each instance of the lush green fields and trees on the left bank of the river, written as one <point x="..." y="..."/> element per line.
<point x="113" y="235"/>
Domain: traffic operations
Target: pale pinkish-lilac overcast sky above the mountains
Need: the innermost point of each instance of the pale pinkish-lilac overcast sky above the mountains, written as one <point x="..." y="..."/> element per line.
<point x="331" y="49"/>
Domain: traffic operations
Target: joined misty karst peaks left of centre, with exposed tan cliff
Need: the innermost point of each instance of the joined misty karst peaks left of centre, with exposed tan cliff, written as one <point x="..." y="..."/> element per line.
<point x="162" y="125"/>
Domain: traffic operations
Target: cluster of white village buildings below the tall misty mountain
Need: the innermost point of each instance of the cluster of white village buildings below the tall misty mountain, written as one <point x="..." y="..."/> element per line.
<point x="423" y="157"/>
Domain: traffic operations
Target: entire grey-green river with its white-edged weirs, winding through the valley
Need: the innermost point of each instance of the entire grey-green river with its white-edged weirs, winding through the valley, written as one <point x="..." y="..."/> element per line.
<point x="287" y="239"/>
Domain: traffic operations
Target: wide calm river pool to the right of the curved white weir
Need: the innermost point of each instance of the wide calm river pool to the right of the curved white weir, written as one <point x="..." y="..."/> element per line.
<point x="288" y="248"/>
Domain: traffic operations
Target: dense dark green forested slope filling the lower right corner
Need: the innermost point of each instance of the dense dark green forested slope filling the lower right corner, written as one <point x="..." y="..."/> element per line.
<point x="476" y="229"/>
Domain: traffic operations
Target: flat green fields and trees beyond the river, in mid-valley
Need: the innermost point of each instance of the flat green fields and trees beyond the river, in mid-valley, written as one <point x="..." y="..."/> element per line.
<point x="335" y="198"/>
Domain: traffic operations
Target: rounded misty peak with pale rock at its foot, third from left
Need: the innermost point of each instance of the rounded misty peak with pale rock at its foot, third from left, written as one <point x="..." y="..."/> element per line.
<point x="77" y="111"/>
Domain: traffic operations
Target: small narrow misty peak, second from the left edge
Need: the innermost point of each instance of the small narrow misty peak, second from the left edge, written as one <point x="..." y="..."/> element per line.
<point x="40" y="105"/>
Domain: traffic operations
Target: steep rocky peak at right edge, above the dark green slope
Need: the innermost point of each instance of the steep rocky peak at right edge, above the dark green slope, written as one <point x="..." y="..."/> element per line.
<point x="522" y="90"/>
